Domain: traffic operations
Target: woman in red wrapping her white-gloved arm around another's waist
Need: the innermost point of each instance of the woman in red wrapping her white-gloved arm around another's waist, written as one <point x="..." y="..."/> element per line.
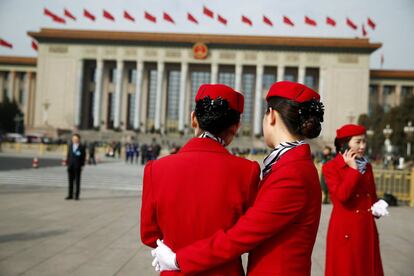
<point x="280" y="228"/>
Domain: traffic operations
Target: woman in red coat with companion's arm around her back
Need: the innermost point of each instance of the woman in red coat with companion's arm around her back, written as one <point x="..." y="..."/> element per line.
<point x="190" y="195"/>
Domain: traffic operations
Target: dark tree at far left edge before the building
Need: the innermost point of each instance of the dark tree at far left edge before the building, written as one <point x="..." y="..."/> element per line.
<point x="8" y="112"/>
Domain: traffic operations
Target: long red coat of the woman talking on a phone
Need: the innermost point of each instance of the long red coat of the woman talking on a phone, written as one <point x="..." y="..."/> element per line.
<point x="352" y="242"/>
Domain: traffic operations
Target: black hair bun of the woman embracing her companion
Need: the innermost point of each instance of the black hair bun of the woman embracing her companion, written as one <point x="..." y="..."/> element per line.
<point x="311" y="115"/>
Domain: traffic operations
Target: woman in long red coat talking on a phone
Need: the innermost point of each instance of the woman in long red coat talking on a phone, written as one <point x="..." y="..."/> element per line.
<point x="352" y="241"/>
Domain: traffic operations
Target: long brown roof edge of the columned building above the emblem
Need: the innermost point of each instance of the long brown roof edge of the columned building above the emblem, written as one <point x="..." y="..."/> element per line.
<point x="226" y="41"/>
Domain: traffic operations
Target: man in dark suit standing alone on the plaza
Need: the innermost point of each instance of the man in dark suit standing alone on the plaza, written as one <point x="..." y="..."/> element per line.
<point x="75" y="161"/>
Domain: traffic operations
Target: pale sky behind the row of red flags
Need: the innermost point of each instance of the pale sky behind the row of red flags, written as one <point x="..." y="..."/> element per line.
<point x="394" y="20"/>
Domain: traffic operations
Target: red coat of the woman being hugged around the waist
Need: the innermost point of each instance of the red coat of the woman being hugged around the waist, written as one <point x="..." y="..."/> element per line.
<point x="190" y="195"/>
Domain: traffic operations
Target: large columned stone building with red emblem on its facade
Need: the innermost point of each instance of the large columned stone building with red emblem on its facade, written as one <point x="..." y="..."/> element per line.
<point x="108" y="84"/>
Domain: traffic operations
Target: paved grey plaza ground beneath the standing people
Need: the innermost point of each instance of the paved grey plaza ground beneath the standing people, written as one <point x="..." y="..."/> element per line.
<point x="43" y="234"/>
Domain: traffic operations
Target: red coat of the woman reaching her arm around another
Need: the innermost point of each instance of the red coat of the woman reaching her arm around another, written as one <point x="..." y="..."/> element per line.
<point x="280" y="228"/>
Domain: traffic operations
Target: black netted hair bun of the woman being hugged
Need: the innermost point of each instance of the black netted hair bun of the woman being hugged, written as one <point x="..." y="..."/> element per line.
<point x="215" y="115"/>
